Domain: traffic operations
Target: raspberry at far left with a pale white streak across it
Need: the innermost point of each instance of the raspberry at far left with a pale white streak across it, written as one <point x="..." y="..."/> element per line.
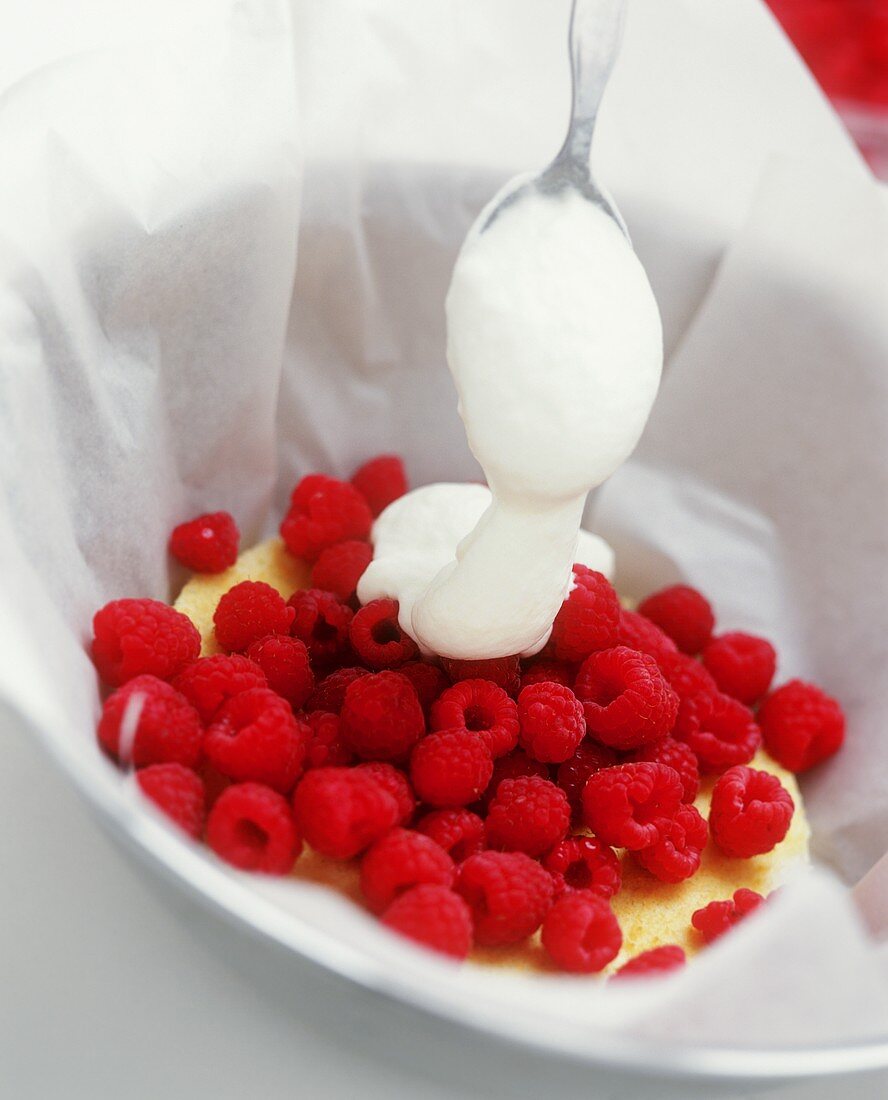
<point x="148" y="722"/>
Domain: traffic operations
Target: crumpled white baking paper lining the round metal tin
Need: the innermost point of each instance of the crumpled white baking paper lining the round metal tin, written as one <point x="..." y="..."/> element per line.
<point x="226" y="236"/>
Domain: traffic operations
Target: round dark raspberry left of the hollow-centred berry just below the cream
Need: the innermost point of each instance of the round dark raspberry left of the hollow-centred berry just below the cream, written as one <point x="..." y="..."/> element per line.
<point x="381" y="718"/>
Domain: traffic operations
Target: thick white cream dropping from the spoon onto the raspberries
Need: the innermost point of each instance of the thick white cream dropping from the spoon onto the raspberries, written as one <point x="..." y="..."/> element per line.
<point x="556" y="348"/>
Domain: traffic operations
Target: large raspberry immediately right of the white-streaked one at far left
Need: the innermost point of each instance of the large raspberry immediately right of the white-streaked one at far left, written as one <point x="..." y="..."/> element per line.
<point x="255" y="739"/>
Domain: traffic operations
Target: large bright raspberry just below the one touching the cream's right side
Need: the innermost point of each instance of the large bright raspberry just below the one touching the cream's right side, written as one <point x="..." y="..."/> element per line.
<point x="626" y="698"/>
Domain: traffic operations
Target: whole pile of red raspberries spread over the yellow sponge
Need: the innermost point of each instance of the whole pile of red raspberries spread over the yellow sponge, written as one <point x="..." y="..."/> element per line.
<point x="485" y="799"/>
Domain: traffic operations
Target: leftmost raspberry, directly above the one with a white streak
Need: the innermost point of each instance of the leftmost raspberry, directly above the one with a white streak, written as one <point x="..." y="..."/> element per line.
<point x="142" y="637"/>
